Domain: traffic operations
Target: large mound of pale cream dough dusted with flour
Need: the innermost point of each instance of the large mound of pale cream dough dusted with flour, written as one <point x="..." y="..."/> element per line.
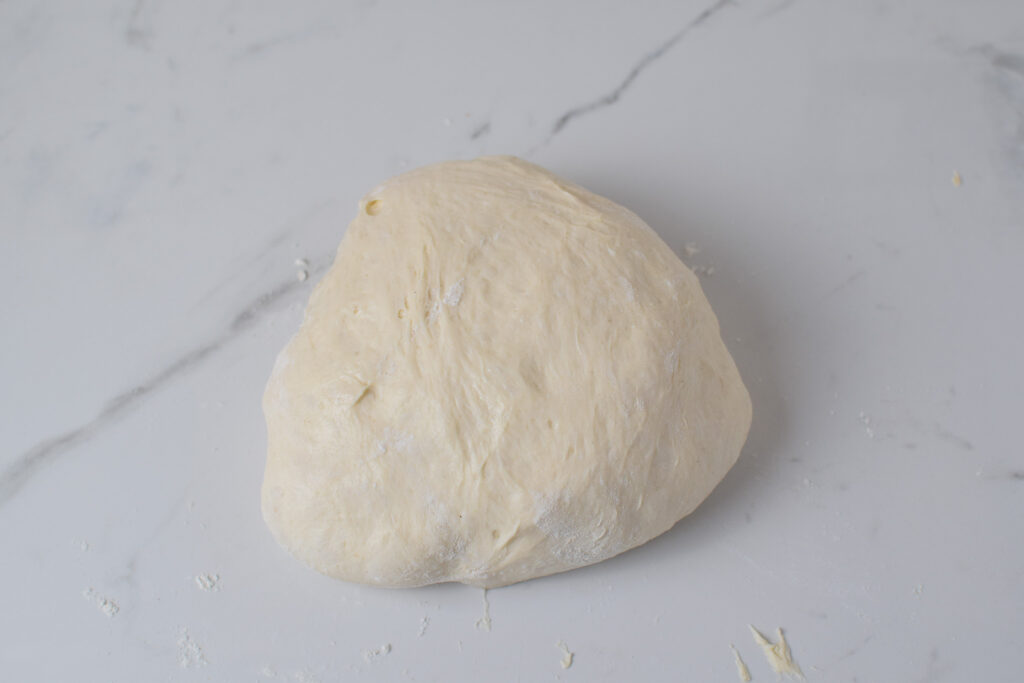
<point x="503" y="376"/>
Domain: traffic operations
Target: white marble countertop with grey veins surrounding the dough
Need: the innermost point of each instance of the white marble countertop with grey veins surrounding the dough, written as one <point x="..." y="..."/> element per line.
<point x="164" y="164"/>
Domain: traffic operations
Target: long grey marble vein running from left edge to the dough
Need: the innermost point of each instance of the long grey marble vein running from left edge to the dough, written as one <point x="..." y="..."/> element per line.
<point x="14" y="479"/>
